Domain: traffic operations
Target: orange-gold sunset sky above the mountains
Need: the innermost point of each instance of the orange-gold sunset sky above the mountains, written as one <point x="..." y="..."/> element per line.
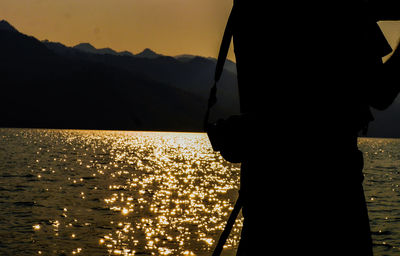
<point x="169" y="27"/>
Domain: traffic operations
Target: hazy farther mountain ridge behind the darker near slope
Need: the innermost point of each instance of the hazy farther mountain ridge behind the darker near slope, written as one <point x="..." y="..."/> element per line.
<point x="192" y="74"/>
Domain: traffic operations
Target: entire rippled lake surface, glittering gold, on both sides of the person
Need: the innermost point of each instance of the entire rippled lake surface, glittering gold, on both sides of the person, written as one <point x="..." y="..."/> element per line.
<point x="69" y="192"/>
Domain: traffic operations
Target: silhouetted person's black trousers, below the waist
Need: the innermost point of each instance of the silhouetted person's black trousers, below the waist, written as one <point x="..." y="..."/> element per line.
<point x="319" y="210"/>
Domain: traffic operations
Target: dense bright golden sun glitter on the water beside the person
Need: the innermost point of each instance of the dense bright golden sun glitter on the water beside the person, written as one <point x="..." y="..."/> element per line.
<point x="174" y="198"/>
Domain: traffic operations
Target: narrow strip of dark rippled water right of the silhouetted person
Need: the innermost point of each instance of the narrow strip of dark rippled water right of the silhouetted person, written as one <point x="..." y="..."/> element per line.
<point x="381" y="184"/>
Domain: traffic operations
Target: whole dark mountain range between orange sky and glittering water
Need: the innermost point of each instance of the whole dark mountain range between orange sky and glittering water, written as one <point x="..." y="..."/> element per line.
<point x="47" y="84"/>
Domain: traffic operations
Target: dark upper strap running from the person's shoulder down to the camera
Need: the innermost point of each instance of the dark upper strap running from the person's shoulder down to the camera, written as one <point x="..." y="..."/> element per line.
<point x="223" y="52"/>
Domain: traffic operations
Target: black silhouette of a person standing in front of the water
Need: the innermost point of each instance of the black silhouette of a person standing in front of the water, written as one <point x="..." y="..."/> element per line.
<point x="308" y="74"/>
